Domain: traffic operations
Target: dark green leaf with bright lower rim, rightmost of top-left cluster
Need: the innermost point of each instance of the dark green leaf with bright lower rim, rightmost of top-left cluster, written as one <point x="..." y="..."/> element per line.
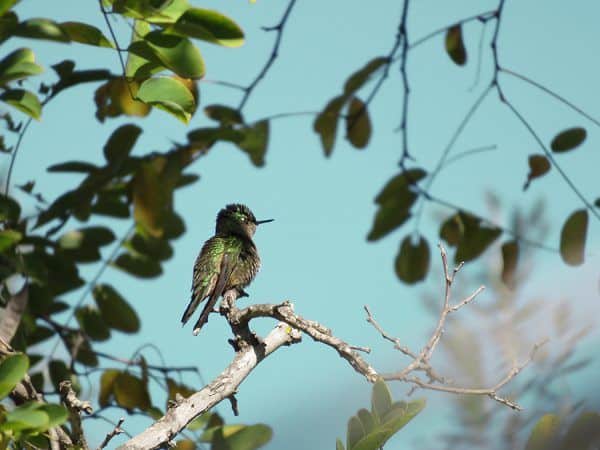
<point x="211" y="26"/>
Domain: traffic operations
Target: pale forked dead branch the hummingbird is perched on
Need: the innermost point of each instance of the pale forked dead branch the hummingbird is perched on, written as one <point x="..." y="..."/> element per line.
<point x="251" y="349"/>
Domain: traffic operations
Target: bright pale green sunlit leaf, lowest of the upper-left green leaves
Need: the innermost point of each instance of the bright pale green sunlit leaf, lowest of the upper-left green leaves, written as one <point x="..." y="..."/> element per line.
<point x="168" y="94"/>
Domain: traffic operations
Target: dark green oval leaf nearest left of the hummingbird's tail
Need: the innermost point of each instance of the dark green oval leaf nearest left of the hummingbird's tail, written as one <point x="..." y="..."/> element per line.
<point x="115" y="310"/>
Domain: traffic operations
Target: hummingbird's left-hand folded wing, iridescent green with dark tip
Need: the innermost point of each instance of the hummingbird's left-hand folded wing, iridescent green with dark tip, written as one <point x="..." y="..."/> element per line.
<point x="206" y="272"/>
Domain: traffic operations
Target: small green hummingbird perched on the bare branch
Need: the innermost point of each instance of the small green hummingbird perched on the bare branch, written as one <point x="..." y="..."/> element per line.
<point x="228" y="260"/>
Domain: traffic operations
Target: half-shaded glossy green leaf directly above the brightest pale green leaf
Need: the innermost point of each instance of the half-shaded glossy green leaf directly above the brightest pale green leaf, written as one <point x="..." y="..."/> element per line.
<point x="174" y="52"/>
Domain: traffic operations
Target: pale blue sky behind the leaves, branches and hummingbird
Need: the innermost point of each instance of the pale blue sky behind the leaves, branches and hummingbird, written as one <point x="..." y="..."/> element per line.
<point x="315" y="253"/>
